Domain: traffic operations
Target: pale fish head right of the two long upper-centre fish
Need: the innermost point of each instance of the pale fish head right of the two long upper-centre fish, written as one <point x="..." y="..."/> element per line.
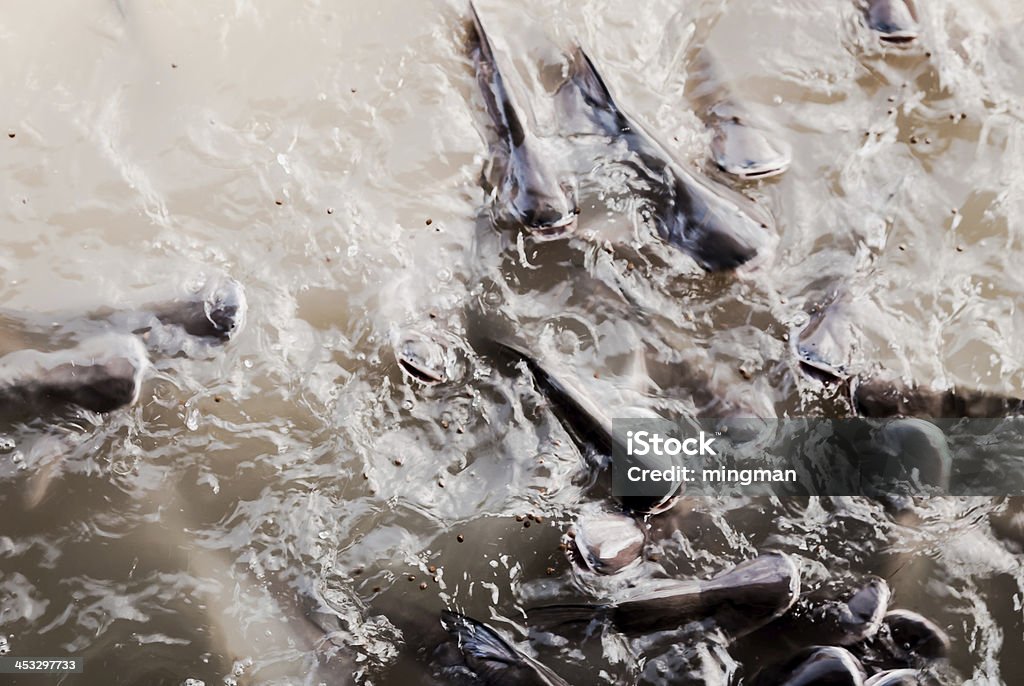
<point x="748" y="151"/>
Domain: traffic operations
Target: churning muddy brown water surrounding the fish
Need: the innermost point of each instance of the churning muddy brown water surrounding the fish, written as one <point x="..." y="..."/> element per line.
<point x="328" y="155"/>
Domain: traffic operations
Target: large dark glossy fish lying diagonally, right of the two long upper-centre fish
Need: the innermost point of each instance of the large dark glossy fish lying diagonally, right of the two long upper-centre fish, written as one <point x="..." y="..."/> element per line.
<point x="720" y="229"/>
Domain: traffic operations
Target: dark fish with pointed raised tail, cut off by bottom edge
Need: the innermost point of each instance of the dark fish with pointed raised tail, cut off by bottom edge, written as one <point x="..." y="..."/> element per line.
<point x="479" y="657"/>
